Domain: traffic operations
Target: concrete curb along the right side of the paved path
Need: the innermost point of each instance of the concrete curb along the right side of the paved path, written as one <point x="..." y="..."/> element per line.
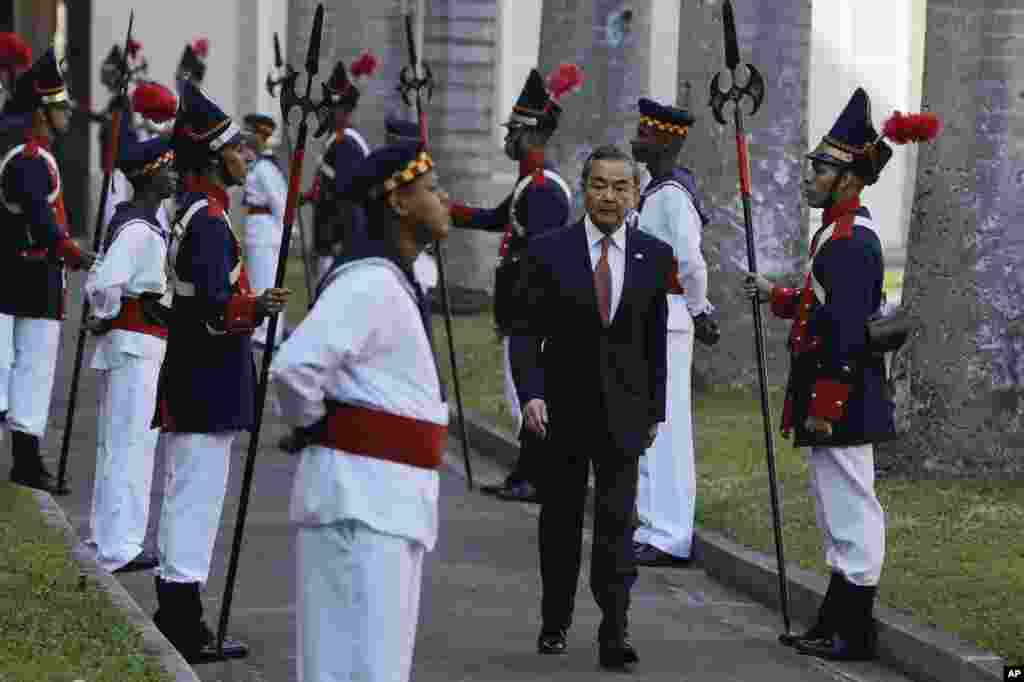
<point x="922" y="653"/>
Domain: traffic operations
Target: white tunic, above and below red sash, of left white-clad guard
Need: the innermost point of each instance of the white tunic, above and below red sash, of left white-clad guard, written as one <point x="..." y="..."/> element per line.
<point x="135" y="265"/>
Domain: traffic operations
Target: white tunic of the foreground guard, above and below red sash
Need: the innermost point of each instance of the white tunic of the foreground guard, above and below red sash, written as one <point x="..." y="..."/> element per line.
<point x="362" y="345"/>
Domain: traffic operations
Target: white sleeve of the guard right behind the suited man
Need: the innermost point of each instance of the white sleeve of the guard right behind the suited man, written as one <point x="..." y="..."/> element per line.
<point x="679" y="225"/>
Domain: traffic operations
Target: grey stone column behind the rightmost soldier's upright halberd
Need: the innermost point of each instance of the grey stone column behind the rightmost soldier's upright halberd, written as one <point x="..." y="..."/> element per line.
<point x="776" y="38"/>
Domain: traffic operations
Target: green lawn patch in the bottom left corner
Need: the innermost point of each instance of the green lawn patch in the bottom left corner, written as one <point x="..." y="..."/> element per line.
<point x="55" y="626"/>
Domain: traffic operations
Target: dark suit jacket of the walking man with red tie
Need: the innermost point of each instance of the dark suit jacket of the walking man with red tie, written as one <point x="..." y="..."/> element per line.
<point x="589" y="374"/>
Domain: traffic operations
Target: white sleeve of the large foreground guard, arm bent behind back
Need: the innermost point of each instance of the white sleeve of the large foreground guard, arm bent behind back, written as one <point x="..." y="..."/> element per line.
<point x="346" y="324"/>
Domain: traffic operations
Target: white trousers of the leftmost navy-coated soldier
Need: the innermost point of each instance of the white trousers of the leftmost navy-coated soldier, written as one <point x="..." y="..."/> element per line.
<point x="31" y="380"/>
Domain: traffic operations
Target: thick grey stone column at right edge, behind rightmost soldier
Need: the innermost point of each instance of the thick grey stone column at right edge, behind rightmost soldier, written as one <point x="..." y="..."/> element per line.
<point x="961" y="379"/>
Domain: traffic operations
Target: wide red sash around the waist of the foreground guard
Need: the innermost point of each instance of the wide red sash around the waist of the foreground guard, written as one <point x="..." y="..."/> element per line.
<point x="383" y="436"/>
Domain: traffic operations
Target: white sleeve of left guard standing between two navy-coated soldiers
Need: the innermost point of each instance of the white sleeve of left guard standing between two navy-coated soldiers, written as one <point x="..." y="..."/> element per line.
<point x="135" y="258"/>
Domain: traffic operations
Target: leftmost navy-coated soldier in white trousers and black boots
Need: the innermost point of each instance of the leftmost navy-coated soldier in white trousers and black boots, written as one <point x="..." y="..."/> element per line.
<point x="35" y="250"/>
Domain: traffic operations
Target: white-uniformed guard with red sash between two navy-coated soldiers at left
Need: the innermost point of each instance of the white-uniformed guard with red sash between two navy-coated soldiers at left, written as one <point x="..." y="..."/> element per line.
<point x="130" y="303"/>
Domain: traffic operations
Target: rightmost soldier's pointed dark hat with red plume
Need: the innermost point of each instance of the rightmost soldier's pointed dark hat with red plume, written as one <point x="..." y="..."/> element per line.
<point x="855" y="144"/>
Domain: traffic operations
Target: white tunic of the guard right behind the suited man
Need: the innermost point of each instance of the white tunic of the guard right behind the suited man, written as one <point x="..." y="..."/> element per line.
<point x="669" y="215"/>
